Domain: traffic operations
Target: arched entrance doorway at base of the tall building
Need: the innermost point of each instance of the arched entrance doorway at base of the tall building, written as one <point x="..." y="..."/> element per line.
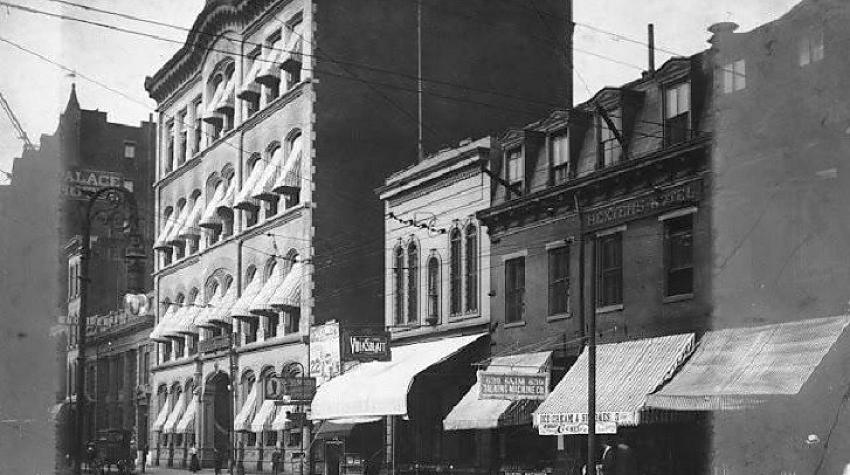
<point x="218" y="414"/>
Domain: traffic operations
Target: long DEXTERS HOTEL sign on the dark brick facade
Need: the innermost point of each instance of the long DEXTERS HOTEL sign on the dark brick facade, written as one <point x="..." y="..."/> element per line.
<point x="645" y="205"/>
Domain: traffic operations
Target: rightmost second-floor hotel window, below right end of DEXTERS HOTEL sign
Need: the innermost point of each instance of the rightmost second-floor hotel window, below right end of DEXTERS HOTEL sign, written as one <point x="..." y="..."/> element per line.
<point x="679" y="255"/>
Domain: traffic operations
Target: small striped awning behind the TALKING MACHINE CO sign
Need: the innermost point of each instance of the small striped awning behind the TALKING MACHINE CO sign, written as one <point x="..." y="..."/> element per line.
<point x="474" y="413"/>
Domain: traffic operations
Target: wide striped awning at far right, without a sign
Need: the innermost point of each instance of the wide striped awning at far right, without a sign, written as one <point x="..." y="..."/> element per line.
<point x="743" y="367"/>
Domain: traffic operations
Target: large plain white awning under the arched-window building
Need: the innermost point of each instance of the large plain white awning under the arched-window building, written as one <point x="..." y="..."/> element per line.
<point x="379" y="388"/>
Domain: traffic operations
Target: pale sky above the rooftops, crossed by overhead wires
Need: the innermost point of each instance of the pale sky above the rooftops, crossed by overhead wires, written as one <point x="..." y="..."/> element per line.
<point x="38" y="91"/>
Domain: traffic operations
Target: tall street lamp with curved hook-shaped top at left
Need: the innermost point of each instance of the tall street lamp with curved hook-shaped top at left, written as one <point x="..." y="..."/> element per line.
<point x="116" y="199"/>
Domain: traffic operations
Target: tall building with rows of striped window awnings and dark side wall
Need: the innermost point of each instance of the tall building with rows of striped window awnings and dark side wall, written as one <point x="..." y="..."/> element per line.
<point x="278" y="119"/>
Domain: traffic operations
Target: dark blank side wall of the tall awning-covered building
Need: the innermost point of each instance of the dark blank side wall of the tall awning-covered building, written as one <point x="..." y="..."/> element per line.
<point x="365" y="119"/>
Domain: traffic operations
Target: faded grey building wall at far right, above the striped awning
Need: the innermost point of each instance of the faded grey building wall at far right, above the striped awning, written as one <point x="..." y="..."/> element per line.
<point x="780" y="215"/>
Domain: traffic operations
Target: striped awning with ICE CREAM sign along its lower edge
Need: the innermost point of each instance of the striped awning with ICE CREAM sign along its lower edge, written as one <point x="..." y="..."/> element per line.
<point x="626" y="373"/>
